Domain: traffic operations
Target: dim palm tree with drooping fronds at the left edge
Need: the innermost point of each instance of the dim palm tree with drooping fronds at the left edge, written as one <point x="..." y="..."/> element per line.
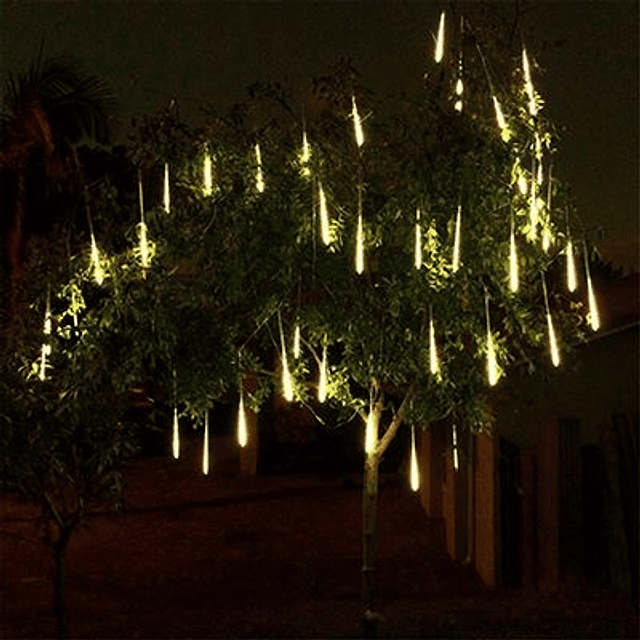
<point x="46" y="113"/>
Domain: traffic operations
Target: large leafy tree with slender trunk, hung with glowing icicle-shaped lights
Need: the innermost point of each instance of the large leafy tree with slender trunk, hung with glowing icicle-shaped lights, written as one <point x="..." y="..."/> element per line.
<point x="392" y="252"/>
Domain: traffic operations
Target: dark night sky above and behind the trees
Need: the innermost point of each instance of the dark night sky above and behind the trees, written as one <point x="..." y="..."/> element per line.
<point x="211" y="51"/>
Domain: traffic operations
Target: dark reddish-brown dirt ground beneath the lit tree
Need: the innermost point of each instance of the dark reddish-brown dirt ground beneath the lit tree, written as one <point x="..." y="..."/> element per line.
<point x="275" y="556"/>
